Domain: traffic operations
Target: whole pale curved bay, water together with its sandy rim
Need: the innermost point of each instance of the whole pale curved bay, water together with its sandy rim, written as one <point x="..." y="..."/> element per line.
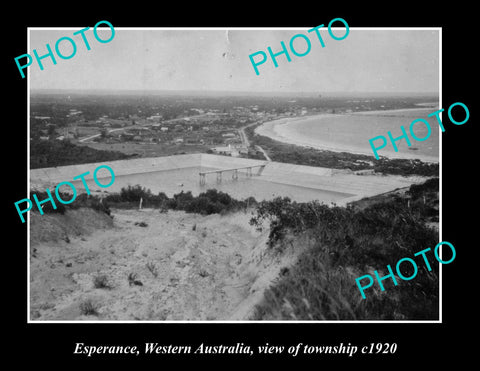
<point x="351" y="132"/>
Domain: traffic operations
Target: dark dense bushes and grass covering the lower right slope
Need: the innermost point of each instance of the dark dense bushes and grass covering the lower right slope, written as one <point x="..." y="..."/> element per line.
<point x="346" y="243"/>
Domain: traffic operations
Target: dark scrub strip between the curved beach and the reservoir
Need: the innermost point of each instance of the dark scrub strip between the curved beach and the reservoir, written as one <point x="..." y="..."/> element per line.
<point x="288" y="153"/>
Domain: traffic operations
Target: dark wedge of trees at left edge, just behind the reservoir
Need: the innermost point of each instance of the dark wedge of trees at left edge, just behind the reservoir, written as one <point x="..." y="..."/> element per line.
<point x="50" y="153"/>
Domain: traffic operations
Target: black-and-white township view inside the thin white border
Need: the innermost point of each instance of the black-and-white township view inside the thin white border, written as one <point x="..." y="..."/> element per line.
<point x="213" y="193"/>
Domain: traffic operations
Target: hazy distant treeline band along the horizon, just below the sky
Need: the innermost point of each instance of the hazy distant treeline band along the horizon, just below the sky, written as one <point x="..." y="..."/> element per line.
<point x="58" y="105"/>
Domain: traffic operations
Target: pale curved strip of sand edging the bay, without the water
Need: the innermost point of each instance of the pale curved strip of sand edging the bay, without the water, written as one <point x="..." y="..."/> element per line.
<point x="279" y="130"/>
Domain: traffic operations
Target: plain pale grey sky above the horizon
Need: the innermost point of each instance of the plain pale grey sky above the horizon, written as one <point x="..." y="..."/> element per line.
<point x="367" y="60"/>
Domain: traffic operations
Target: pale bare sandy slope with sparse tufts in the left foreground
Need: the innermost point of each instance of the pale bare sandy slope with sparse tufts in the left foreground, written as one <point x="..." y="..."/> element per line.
<point x="183" y="266"/>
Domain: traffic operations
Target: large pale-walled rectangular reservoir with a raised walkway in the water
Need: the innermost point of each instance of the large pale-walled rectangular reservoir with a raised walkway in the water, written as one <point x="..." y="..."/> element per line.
<point x="260" y="179"/>
